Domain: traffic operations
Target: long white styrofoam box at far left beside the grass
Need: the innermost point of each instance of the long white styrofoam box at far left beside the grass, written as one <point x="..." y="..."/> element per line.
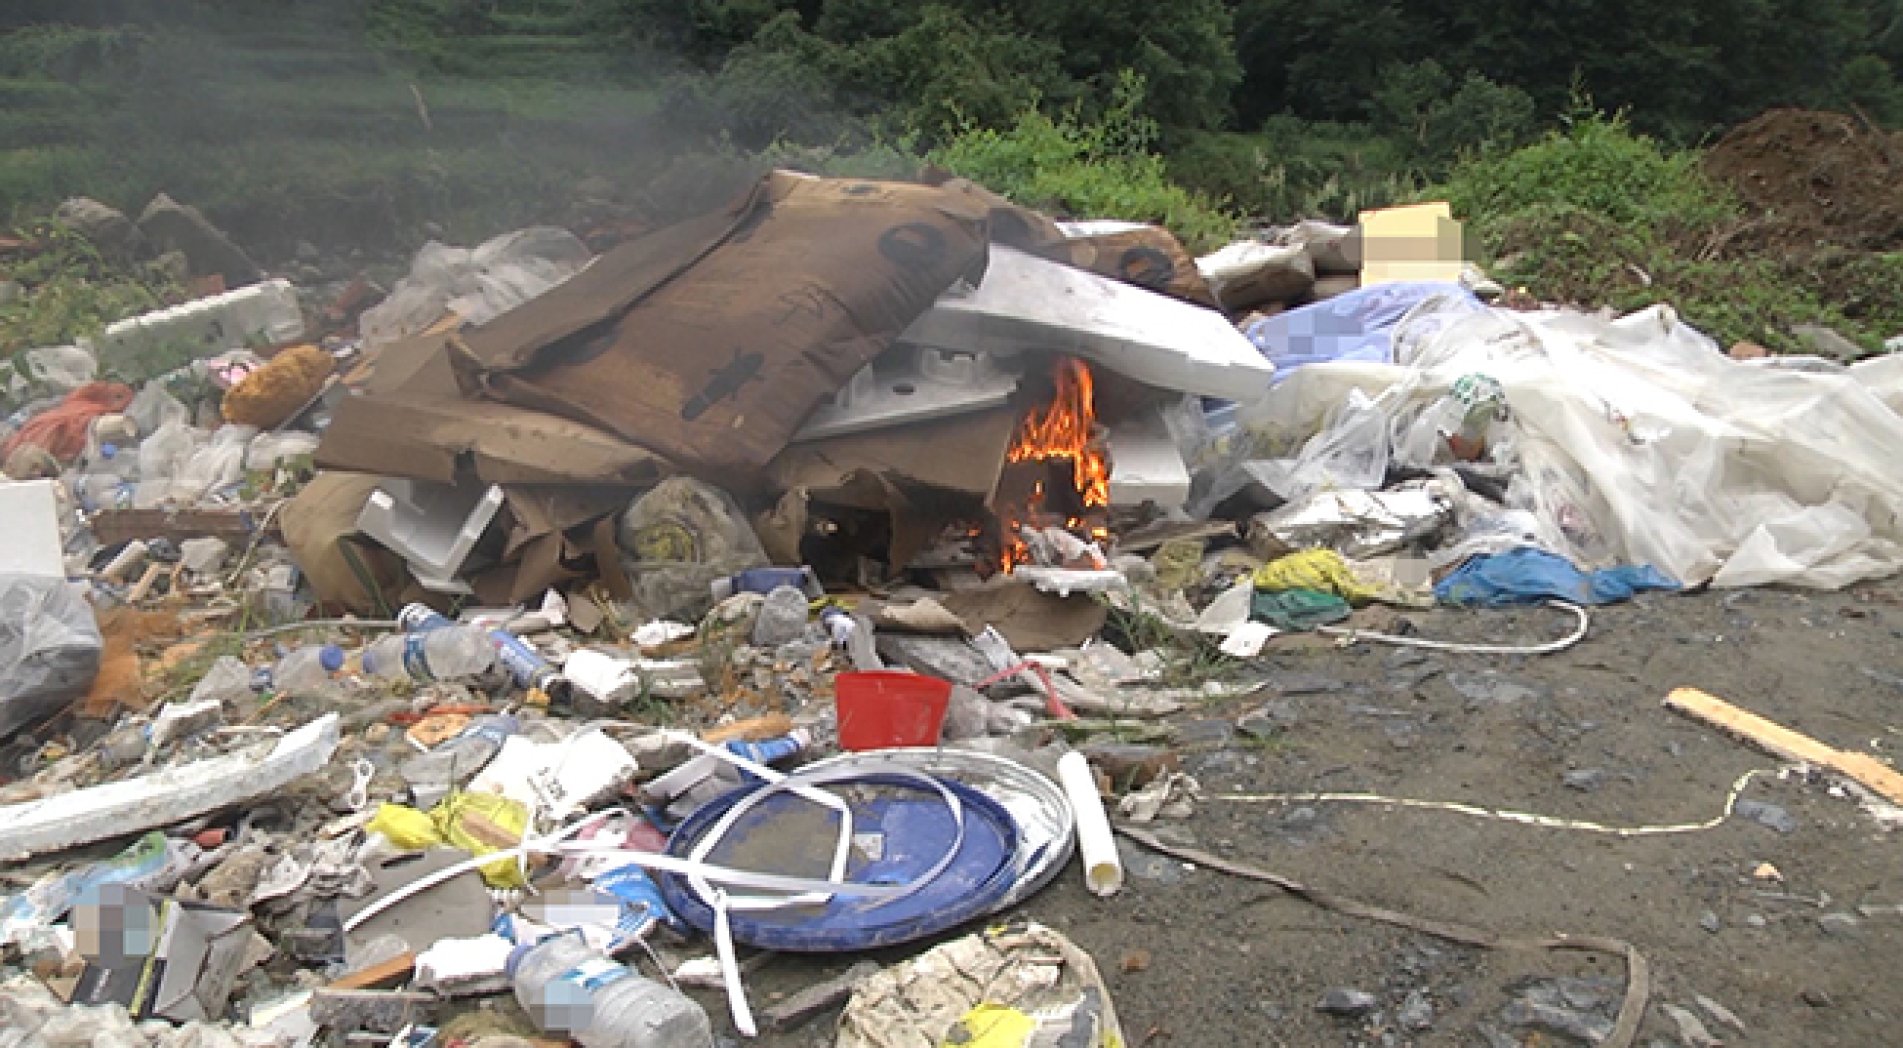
<point x="260" y="313"/>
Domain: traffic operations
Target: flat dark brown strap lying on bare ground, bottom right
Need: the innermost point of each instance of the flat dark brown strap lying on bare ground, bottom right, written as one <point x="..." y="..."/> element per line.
<point x="1638" y="973"/>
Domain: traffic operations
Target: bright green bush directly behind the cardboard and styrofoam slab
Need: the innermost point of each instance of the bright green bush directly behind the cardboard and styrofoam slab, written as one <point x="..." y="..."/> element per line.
<point x="1089" y="170"/>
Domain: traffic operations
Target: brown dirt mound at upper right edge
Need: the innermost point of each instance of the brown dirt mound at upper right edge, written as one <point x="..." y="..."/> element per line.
<point x="1816" y="180"/>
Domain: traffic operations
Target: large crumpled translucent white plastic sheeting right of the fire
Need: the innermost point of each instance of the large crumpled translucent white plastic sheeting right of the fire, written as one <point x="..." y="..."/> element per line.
<point x="1639" y="442"/>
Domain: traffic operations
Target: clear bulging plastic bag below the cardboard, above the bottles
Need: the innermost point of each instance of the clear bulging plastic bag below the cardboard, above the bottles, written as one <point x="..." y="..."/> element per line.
<point x="678" y="539"/>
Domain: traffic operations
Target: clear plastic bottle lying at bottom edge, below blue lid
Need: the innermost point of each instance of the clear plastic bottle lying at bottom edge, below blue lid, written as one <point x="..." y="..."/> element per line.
<point x="572" y="990"/>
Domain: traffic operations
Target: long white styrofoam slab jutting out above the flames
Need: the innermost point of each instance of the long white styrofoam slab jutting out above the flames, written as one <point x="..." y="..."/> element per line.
<point x="1029" y="303"/>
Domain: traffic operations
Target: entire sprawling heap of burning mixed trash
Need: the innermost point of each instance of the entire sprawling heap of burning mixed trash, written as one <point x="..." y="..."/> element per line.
<point x="562" y="629"/>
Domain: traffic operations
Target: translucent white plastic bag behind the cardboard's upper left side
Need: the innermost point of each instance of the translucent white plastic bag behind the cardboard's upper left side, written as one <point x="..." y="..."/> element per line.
<point x="477" y="284"/>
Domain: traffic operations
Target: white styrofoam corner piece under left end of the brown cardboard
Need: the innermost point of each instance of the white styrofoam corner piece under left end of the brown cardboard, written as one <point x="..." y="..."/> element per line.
<point x="431" y="526"/>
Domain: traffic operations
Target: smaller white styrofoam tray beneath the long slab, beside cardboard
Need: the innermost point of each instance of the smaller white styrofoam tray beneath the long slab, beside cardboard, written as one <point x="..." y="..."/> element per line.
<point x="911" y="385"/>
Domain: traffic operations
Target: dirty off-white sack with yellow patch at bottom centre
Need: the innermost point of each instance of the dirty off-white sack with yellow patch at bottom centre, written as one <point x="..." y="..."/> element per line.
<point x="1011" y="986"/>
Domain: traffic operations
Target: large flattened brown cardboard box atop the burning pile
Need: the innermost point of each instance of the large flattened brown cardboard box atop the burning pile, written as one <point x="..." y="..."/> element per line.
<point x="713" y="341"/>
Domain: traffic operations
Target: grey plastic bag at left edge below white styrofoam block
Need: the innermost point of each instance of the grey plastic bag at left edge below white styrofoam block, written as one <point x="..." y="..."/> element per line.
<point x="49" y="650"/>
